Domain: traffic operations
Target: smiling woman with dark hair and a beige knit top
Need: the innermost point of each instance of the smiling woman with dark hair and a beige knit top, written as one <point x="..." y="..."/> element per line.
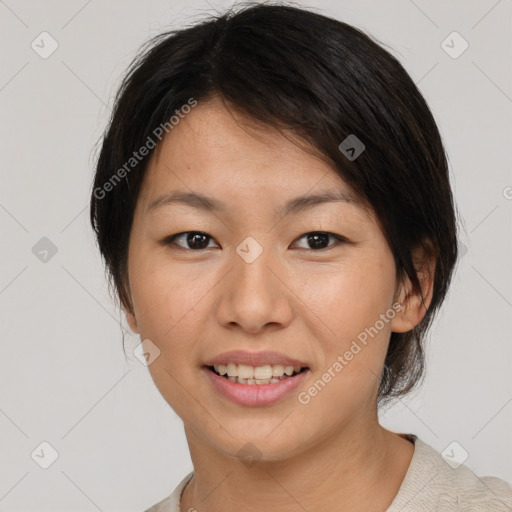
<point x="273" y="205"/>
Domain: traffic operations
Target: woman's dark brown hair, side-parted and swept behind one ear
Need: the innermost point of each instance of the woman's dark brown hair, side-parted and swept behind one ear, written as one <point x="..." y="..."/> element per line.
<point x="321" y="79"/>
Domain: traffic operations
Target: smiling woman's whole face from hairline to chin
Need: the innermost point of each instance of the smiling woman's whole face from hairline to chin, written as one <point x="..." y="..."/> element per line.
<point x="303" y="283"/>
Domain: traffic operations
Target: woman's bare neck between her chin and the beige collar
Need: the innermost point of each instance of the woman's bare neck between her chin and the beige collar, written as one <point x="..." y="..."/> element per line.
<point x="356" y="469"/>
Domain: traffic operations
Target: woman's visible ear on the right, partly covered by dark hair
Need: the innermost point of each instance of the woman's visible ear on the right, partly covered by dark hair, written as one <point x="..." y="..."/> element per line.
<point x="413" y="308"/>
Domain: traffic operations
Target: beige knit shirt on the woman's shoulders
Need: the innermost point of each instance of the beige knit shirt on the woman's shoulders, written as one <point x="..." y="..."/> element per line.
<point x="430" y="485"/>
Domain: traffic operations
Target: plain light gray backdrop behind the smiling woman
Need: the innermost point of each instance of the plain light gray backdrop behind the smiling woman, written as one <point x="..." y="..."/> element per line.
<point x="64" y="378"/>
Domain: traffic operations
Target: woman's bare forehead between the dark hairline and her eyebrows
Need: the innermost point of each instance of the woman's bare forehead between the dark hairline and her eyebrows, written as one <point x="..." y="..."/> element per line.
<point x="224" y="154"/>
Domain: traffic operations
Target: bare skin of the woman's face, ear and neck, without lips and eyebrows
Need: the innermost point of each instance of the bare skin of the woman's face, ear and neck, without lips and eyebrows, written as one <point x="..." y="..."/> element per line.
<point x="308" y="303"/>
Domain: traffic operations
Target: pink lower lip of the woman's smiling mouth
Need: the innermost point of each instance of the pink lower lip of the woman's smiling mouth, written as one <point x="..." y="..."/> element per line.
<point x="255" y="395"/>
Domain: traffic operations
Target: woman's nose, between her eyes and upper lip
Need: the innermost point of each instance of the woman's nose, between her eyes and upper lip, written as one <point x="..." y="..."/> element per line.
<point x="254" y="295"/>
